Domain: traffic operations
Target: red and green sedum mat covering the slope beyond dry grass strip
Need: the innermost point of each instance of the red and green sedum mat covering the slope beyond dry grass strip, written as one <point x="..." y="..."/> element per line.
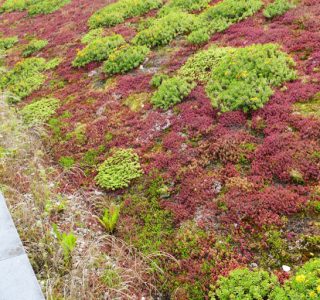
<point x="196" y="122"/>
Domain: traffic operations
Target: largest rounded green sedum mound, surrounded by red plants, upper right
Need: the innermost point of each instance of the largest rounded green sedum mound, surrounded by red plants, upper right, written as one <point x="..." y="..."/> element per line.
<point x="237" y="78"/>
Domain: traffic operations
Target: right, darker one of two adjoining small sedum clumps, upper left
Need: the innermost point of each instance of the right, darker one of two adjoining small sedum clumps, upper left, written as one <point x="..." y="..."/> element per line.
<point x="125" y="59"/>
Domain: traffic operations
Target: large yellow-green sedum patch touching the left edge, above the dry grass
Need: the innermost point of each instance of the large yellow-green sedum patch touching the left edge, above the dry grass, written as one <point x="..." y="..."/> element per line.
<point x="25" y="77"/>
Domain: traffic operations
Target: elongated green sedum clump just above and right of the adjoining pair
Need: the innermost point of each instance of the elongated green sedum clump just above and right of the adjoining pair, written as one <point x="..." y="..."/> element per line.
<point x="163" y="30"/>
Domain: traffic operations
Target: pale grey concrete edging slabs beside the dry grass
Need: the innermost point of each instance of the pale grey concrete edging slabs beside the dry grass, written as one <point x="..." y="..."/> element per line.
<point x="17" y="279"/>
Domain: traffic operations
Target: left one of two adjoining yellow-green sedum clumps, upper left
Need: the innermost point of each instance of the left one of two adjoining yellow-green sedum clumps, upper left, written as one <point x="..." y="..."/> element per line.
<point x="98" y="50"/>
